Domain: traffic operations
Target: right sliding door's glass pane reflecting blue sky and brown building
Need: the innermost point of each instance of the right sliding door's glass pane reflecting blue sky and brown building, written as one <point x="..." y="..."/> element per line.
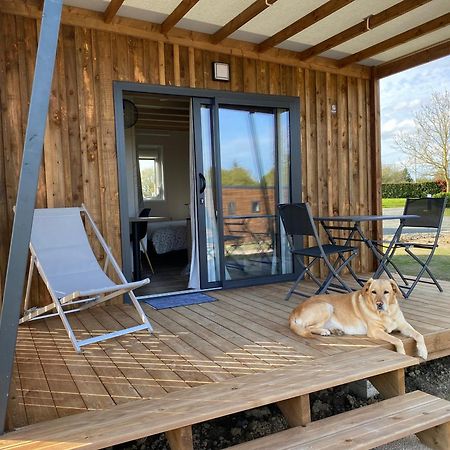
<point x="254" y="178"/>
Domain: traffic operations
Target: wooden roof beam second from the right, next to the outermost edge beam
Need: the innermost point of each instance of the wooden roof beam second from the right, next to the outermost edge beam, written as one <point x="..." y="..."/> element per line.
<point x="399" y="39"/>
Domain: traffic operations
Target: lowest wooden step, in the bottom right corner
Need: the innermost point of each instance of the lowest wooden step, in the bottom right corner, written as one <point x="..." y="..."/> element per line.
<point x="365" y="428"/>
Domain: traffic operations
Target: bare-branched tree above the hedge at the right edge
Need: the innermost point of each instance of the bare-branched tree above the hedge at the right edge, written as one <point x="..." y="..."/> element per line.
<point x="429" y="144"/>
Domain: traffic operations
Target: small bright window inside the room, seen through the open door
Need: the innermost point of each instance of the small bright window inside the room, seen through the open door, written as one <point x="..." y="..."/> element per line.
<point x="151" y="172"/>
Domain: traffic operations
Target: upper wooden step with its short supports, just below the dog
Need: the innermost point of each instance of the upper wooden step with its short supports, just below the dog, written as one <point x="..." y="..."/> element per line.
<point x="174" y="413"/>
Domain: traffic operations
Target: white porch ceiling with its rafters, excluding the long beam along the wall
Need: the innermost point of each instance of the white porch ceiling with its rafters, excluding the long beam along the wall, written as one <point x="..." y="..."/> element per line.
<point x="390" y="35"/>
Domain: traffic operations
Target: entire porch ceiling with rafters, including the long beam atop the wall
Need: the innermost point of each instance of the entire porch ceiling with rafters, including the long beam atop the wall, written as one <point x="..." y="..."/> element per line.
<point x="353" y="37"/>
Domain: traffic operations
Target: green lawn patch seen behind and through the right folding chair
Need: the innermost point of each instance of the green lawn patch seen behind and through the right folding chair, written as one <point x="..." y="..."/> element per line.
<point x="439" y="266"/>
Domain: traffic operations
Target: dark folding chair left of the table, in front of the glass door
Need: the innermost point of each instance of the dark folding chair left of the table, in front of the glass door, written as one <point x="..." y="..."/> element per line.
<point x="298" y="222"/>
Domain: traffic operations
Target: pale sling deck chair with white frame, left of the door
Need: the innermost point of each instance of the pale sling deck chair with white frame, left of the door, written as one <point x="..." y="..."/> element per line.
<point x="62" y="254"/>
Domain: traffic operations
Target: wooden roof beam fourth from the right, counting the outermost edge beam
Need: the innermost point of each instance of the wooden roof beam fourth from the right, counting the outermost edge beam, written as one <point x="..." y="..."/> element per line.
<point x="303" y="23"/>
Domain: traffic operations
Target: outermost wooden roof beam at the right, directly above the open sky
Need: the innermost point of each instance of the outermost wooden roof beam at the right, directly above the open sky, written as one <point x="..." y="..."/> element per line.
<point x="414" y="59"/>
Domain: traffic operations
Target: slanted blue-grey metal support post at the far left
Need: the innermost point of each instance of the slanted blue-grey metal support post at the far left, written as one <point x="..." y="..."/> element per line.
<point x="26" y="196"/>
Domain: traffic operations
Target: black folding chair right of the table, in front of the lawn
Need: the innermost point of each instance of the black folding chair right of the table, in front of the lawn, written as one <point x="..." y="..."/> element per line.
<point x="430" y="212"/>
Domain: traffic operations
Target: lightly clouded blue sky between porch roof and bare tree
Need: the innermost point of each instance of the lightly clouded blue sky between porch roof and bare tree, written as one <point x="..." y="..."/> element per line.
<point x="401" y="95"/>
